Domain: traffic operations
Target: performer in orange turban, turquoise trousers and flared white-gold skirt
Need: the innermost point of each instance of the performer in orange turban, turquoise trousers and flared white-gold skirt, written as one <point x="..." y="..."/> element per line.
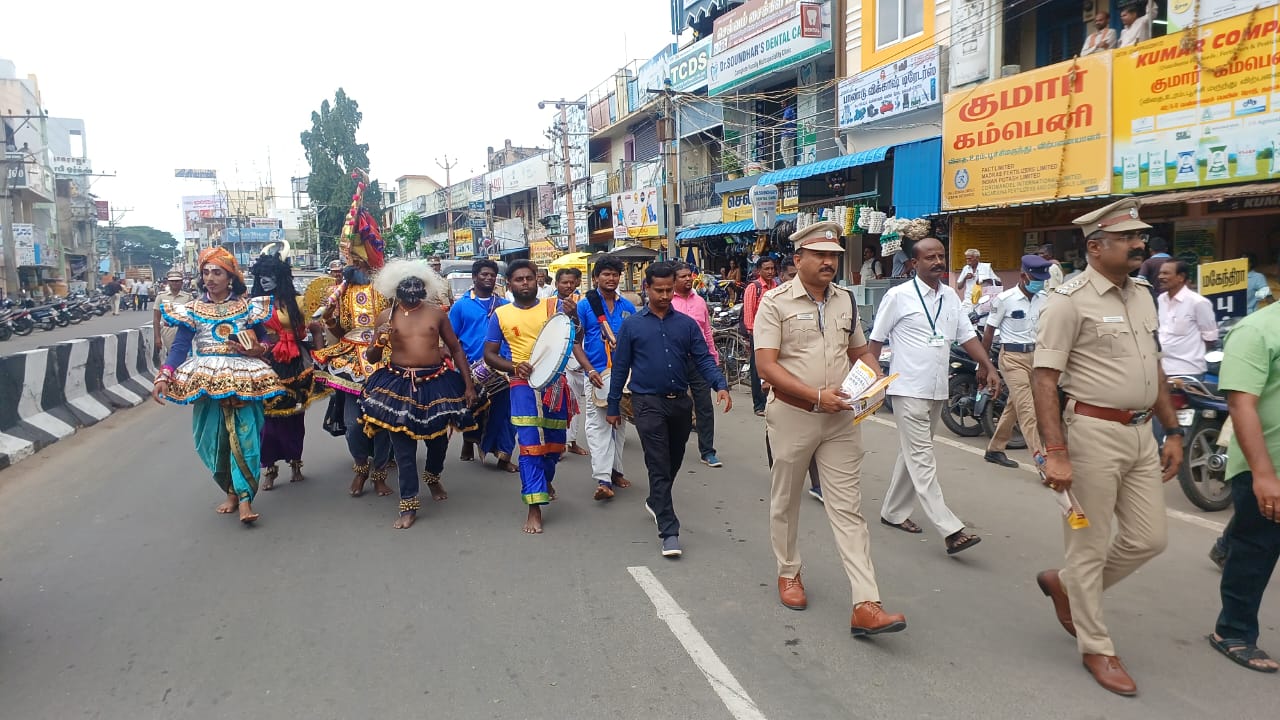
<point x="225" y="380"/>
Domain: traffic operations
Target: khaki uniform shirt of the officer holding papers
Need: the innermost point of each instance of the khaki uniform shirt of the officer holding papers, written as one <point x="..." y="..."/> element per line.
<point x="812" y="341"/>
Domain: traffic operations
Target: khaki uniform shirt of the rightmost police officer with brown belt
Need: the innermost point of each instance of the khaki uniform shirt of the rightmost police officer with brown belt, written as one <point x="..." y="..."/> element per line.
<point x="1103" y="339"/>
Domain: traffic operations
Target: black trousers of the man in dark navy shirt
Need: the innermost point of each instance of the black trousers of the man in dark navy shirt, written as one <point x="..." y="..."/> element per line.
<point x="664" y="426"/>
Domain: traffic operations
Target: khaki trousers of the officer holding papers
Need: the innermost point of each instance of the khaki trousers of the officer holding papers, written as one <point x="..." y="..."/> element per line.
<point x="836" y="445"/>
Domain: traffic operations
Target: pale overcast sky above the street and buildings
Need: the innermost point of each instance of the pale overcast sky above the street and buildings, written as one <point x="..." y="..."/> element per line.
<point x="226" y="85"/>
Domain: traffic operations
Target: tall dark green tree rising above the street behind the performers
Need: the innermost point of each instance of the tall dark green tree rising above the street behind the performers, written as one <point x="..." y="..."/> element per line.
<point x="333" y="154"/>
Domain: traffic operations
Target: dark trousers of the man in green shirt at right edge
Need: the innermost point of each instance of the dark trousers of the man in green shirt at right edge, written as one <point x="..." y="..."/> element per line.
<point x="1252" y="549"/>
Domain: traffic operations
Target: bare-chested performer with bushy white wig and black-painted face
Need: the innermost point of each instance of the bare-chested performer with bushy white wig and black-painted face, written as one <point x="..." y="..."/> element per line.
<point x="417" y="397"/>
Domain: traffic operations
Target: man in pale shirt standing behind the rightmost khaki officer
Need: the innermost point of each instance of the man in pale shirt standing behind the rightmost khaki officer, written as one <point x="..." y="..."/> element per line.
<point x="1187" y="323"/>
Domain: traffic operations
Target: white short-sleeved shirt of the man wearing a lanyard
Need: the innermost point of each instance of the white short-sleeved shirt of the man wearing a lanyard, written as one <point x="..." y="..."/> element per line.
<point x="902" y="320"/>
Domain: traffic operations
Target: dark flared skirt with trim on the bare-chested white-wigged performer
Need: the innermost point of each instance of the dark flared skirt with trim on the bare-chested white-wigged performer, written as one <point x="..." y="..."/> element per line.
<point x="422" y="403"/>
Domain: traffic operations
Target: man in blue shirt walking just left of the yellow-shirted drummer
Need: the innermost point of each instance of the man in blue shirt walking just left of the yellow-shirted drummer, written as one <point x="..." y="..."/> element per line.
<point x="470" y="318"/>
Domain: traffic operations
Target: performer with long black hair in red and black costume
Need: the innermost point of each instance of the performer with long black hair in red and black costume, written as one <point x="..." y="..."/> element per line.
<point x="286" y="334"/>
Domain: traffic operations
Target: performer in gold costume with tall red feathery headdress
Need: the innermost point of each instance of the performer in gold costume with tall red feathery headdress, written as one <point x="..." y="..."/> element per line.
<point x="351" y="315"/>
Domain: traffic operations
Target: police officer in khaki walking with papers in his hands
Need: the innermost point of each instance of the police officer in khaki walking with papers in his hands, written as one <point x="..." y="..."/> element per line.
<point x="807" y="339"/>
